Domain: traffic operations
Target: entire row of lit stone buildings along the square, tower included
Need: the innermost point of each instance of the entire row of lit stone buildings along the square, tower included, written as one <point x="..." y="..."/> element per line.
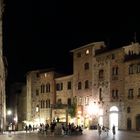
<point x="104" y="85"/>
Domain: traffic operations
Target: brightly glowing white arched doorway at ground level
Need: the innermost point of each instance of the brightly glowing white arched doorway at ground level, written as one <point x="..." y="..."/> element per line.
<point x="113" y="117"/>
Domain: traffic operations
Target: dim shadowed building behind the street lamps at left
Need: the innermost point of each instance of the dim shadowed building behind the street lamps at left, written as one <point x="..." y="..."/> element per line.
<point x="16" y="103"/>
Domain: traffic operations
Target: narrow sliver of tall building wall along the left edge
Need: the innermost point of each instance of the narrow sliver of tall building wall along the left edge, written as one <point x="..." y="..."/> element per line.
<point x="2" y="77"/>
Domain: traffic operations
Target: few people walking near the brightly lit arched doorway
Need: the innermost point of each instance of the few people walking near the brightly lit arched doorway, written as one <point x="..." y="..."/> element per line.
<point x="105" y="129"/>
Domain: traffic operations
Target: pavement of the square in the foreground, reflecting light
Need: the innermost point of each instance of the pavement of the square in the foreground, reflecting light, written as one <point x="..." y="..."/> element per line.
<point x="87" y="135"/>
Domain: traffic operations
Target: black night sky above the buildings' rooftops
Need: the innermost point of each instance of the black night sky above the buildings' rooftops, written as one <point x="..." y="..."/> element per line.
<point x="41" y="34"/>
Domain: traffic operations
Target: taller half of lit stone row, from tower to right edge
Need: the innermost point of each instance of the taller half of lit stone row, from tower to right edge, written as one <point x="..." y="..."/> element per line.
<point x="113" y="85"/>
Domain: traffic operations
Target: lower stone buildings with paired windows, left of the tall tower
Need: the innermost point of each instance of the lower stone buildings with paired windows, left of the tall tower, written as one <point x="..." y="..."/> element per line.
<point x="48" y="94"/>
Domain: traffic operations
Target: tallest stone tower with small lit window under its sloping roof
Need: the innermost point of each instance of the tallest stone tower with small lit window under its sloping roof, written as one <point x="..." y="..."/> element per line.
<point x="82" y="82"/>
